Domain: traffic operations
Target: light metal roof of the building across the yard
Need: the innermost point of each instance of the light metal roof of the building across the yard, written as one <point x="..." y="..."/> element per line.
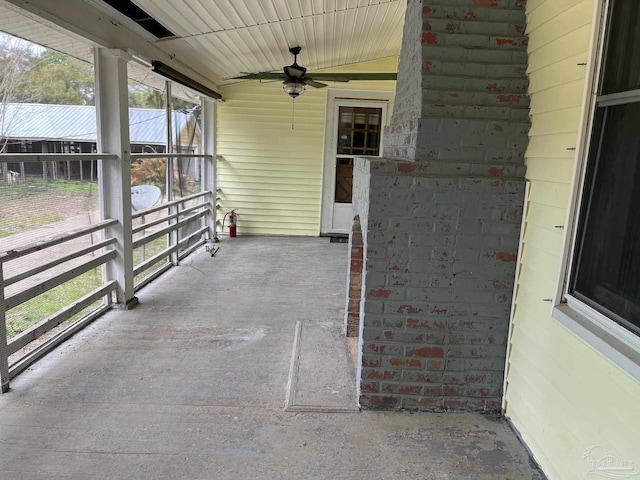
<point x="30" y="121"/>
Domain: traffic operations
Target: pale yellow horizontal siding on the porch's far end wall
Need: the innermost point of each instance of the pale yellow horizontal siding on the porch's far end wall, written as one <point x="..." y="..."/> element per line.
<point x="268" y="171"/>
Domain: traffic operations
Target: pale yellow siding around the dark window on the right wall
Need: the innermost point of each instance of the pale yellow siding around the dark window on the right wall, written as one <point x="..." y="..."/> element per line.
<point x="562" y="396"/>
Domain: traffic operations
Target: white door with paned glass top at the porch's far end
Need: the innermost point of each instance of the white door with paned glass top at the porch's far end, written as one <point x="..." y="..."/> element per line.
<point x="354" y="129"/>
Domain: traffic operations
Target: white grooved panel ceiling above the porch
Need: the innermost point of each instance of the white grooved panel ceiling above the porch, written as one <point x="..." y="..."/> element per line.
<point x="216" y="40"/>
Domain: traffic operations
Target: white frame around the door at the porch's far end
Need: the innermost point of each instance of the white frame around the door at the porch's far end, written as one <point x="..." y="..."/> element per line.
<point x="337" y="98"/>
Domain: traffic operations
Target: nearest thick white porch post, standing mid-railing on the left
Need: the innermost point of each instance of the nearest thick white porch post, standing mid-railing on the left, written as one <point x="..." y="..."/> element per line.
<point x="114" y="176"/>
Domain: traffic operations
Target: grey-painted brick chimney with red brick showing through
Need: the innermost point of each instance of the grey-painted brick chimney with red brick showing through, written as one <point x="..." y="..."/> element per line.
<point x="441" y="214"/>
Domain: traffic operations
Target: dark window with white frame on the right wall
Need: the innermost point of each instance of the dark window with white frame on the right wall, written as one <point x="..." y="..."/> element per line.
<point x="605" y="271"/>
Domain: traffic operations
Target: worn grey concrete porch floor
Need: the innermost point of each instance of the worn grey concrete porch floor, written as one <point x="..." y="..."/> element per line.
<point x="192" y="384"/>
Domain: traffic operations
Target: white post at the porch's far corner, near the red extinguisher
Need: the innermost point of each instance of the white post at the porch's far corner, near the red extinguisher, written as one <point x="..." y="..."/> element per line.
<point x="208" y="177"/>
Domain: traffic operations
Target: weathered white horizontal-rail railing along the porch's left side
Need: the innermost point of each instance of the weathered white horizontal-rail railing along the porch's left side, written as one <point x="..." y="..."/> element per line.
<point x="195" y="208"/>
